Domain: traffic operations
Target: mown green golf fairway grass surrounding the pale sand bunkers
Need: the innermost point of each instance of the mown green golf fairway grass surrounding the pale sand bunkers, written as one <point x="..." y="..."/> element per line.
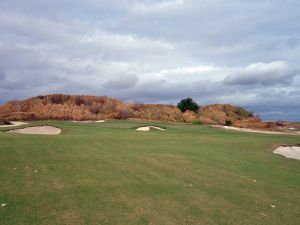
<point x="110" y="174"/>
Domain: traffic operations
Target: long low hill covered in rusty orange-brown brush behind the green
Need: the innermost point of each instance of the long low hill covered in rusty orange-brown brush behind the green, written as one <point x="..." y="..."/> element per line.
<point x="77" y="107"/>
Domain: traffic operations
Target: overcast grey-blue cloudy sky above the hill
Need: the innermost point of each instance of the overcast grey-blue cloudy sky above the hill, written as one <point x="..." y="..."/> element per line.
<point x="217" y="51"/>
